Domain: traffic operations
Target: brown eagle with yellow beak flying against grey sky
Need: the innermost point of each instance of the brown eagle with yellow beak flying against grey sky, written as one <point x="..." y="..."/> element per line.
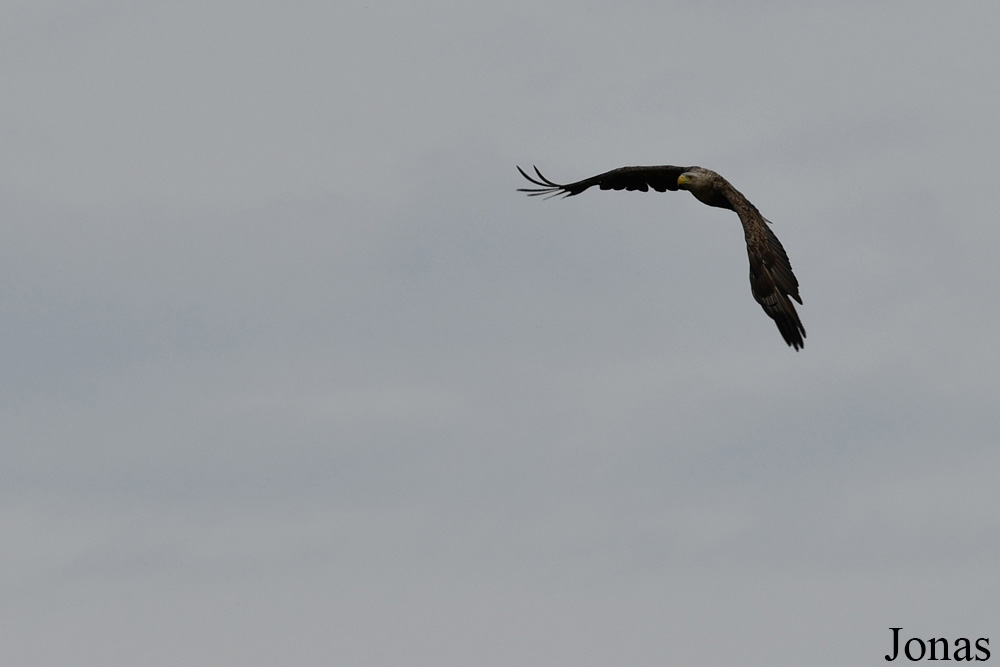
<point x="771" y="279"/>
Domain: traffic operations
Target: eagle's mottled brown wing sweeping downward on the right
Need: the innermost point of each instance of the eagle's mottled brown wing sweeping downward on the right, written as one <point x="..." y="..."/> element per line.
<point x="771" y="279"/>
